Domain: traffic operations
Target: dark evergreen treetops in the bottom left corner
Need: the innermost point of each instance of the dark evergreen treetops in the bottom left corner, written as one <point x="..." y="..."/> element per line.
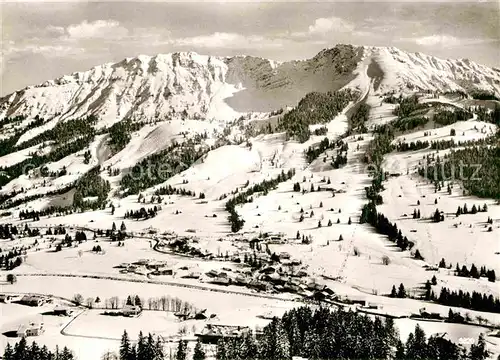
<point x="22" y="351"/>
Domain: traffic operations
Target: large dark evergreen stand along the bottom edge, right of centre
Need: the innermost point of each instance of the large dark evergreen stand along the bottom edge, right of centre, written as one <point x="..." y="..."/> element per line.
<point x="326" y="334"/>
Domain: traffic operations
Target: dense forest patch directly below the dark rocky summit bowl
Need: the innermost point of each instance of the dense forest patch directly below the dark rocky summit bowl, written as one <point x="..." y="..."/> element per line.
<point x="314" y="108"/>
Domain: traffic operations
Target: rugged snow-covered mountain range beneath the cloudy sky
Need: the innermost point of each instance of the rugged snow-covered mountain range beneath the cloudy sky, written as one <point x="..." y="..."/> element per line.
<point x="189" y="85"/>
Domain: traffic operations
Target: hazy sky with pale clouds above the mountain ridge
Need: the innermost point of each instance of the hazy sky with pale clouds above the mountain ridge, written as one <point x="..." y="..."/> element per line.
<point x="43" y="40"/>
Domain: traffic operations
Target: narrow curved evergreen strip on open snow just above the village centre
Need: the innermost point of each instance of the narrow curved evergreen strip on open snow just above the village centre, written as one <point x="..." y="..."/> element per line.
<point x="243" y="197"/>
